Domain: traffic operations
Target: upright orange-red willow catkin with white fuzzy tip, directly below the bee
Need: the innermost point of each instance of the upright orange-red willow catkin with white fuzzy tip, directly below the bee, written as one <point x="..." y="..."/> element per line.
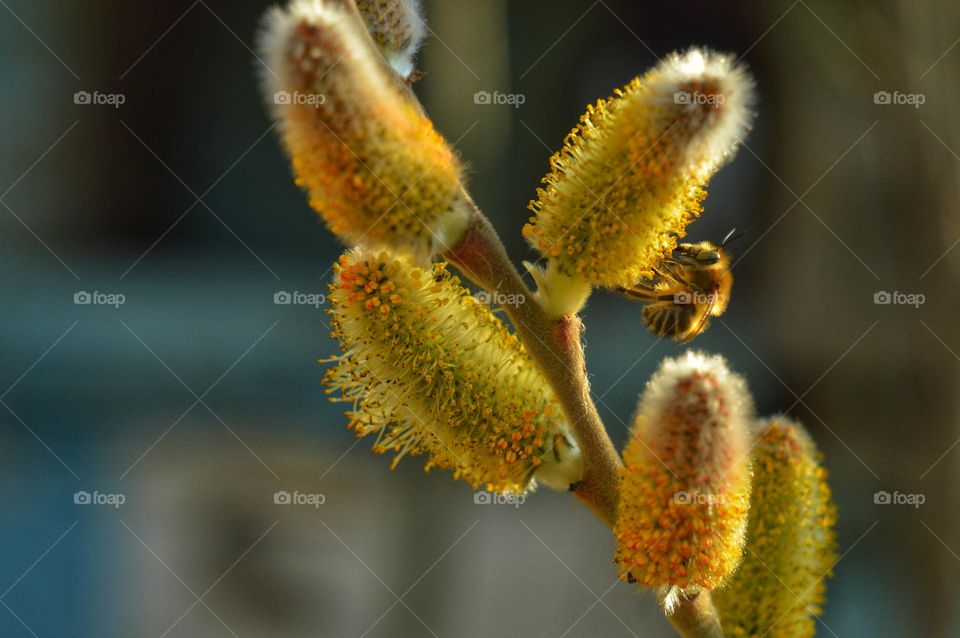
<point x="685" y="490"/>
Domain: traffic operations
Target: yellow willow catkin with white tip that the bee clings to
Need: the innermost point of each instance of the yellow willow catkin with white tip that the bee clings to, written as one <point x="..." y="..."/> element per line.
<point x="631" y="175"/>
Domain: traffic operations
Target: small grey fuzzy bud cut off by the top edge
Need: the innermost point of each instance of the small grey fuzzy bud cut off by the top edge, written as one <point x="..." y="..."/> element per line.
<point x="398" y="28"/>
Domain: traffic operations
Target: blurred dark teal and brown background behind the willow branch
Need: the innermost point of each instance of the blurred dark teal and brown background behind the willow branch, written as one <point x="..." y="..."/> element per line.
<point x="145" y="434"/>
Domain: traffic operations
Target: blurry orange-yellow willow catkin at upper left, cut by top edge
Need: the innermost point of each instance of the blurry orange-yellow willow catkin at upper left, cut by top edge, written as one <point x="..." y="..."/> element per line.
<point x="374" y="167"/>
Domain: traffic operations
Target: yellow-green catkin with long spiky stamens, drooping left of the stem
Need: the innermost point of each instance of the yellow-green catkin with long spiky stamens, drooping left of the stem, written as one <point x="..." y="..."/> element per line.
<point x="431" y="370"/>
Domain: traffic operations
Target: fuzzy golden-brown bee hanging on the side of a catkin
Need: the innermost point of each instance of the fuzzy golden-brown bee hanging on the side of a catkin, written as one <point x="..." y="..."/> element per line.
<point x="686" y="289"/>
